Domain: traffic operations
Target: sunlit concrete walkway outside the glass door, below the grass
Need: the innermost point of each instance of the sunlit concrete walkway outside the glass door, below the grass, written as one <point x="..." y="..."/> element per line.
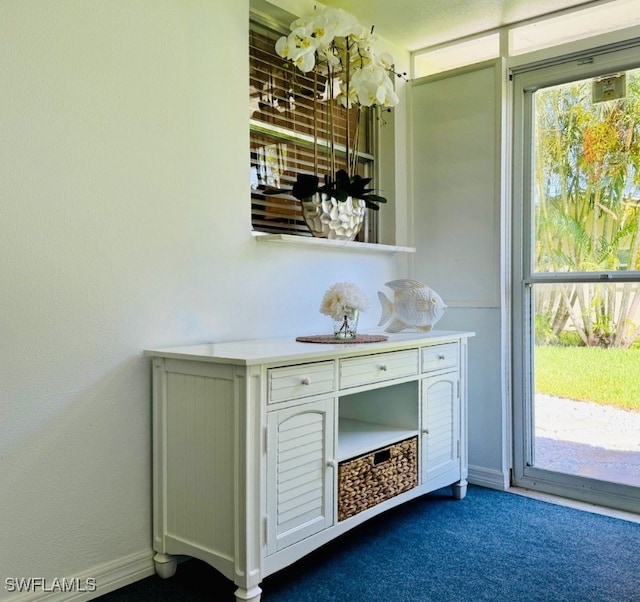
<point x="587" y="439"/>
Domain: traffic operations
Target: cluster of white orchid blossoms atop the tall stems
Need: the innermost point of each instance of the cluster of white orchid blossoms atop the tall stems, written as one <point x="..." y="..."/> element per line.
<point x="334" y="37"/>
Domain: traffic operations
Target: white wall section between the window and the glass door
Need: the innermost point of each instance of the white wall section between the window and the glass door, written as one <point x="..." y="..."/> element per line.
<point x="457" y="190"/>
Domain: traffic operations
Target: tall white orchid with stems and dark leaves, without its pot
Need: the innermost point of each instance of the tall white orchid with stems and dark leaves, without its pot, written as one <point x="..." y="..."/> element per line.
<point x="343" y="50"/>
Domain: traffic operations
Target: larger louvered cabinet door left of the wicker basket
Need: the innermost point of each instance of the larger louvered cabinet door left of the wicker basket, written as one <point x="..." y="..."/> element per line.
<point x="300" y="500"/>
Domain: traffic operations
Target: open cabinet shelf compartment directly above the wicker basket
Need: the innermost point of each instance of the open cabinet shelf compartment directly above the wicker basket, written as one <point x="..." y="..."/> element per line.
<point x="369" y="420"/>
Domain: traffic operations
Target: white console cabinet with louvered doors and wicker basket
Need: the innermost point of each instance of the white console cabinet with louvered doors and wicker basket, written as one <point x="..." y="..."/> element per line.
<point x="249" y="439"/>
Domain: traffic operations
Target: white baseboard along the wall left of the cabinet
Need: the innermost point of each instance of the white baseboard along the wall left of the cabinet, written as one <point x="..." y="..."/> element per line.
<point x="91" y="584"/>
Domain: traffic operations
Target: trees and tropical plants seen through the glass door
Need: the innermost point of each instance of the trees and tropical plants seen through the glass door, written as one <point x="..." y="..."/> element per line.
<point x="587" y="212"/>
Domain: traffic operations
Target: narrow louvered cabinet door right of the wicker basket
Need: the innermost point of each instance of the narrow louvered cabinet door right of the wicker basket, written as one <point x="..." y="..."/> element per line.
<point x="441" y="427"/>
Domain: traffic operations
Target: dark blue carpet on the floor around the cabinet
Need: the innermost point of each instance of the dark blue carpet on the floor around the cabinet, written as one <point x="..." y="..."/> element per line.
<point x="490" y="546"/>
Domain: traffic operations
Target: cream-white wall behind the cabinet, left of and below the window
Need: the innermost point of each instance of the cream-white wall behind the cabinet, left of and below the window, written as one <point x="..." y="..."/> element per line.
<point x="124" y="224"/>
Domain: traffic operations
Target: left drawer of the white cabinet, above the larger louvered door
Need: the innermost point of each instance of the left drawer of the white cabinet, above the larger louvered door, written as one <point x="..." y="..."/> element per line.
<point x="300" y="381"/>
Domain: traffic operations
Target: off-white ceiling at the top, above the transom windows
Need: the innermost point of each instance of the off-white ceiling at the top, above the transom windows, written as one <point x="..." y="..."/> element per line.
<point x="417" y="24"/>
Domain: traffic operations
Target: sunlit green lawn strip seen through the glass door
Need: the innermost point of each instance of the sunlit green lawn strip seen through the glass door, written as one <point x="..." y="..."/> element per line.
<point x="607" y="376"/>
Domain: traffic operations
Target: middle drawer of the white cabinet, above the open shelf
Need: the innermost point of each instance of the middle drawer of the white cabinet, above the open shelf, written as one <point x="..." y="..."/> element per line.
<point x="378" y="367"/>
